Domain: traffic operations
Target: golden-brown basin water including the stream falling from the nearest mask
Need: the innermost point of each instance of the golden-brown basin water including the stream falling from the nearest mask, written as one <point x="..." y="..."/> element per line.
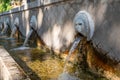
<point x="38" y="64"/>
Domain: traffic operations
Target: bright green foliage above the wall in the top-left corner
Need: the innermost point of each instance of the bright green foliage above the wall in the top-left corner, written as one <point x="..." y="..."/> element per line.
<point x="4" y="5"/>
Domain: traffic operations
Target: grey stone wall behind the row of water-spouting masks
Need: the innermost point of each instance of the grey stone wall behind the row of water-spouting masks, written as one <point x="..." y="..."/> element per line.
<point x="55" y="22"/>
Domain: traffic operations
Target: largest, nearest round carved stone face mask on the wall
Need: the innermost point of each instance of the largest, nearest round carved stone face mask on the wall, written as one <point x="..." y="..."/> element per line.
<point x="84" y="24"/>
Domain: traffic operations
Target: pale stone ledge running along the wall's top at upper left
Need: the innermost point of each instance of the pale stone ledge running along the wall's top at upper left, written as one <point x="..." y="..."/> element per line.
<point x="35" y="4"/>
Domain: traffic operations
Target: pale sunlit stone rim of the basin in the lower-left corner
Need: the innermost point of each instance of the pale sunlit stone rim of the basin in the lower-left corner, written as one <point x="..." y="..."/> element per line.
<point x="9" y="69"/>
